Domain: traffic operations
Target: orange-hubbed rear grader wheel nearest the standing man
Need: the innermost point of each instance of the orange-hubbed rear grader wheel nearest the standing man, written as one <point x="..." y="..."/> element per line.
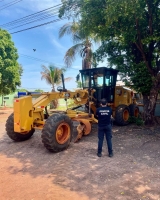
<point x="122" y="115"/>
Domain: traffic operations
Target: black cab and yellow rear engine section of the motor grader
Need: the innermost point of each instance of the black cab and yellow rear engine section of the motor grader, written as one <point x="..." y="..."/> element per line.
<point x="103" y="82"/>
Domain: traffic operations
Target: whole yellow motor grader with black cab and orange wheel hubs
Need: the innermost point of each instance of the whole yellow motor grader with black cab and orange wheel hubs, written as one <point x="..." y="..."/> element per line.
<point x="57" y="129"/>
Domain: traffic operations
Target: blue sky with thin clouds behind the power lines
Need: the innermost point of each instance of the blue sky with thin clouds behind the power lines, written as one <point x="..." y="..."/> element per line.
<point x="44" y="39"/>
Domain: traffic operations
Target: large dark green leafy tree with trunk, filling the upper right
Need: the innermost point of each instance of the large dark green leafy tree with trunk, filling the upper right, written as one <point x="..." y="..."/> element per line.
<point x="132" y="27"/>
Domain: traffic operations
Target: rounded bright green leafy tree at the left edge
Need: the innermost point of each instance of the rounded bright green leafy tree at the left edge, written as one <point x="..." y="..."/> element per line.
<point x="10" y="70"/>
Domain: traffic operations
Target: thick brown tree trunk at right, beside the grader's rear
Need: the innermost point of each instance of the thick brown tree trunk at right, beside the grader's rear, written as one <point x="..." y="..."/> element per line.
<point x="150" y="104"/>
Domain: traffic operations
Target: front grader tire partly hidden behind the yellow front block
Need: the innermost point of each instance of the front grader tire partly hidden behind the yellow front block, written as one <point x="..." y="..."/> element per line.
<point x="14" y="135"/>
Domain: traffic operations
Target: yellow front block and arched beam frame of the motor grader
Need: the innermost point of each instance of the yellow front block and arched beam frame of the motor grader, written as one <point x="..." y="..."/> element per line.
<point x="28" y="114"/>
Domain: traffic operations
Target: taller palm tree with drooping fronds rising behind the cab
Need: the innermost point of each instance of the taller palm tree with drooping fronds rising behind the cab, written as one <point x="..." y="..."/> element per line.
<point x="82" y="45"/>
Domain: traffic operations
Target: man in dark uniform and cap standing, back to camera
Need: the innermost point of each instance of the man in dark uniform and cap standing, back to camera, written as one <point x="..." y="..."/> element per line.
<point x="104" y="114"/>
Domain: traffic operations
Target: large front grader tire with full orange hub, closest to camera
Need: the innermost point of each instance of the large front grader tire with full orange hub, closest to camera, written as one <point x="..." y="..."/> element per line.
<point x="57" y="132"/>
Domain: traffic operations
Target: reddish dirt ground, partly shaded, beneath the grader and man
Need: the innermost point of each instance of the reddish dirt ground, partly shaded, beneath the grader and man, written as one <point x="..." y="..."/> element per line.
<point x="30" y="172"/>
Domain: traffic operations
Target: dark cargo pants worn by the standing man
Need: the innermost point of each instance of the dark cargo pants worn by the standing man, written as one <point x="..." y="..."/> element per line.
<point x="107" y="131"/>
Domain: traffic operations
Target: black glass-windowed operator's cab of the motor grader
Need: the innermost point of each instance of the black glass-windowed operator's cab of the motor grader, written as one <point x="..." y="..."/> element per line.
<point x="102" y="80"/>
